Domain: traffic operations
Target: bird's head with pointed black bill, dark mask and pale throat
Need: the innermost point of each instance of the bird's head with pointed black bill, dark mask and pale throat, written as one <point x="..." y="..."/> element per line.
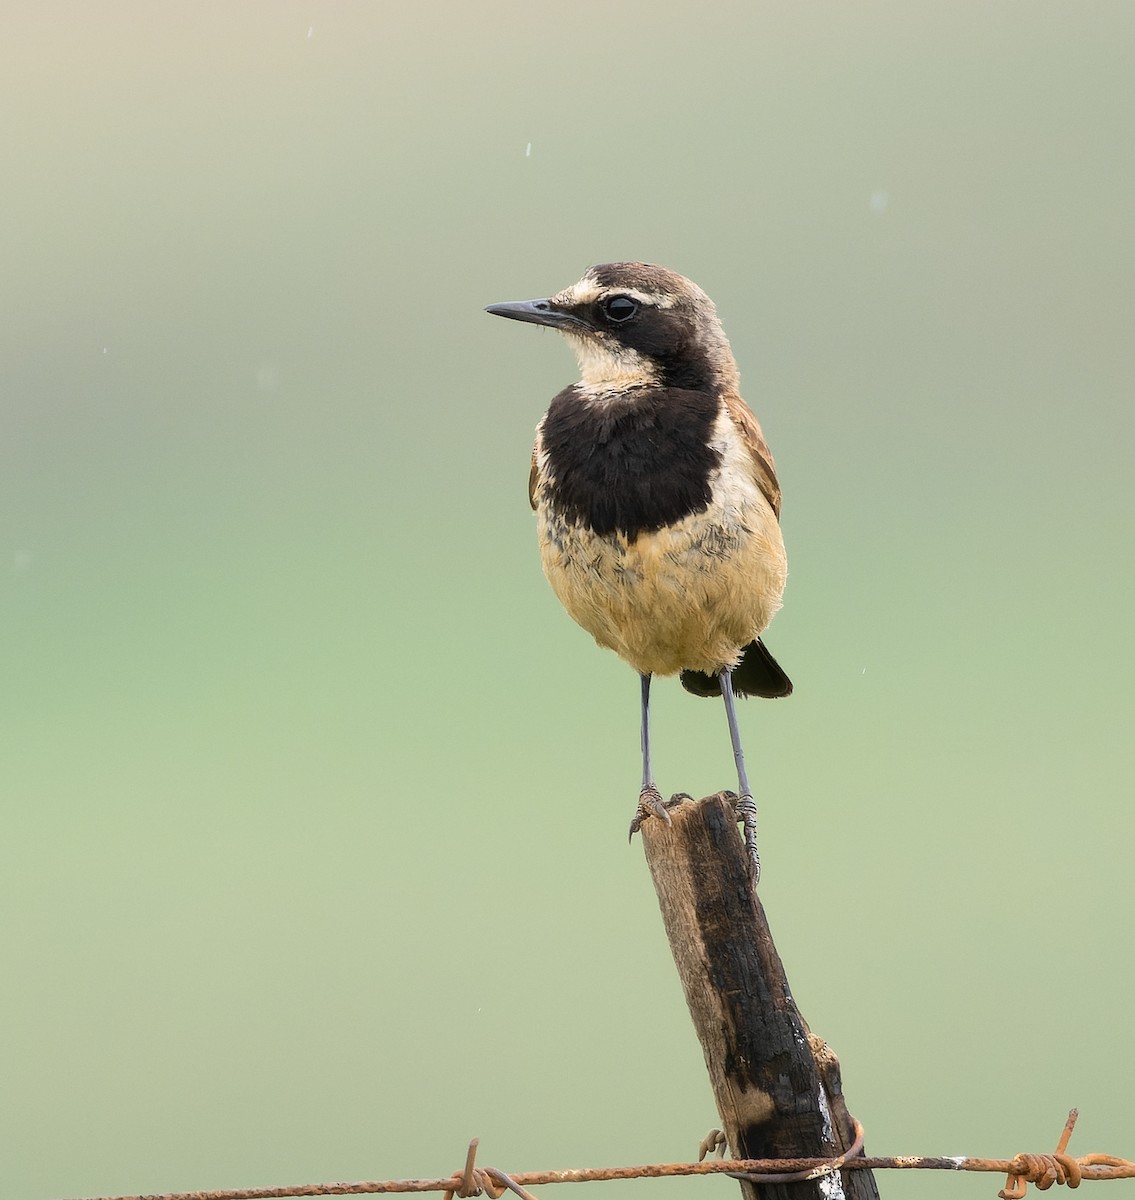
<point x="635" y="325"/>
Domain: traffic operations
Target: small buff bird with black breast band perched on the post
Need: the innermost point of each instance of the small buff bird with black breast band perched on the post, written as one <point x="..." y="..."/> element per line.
<point x="657" y="500"/>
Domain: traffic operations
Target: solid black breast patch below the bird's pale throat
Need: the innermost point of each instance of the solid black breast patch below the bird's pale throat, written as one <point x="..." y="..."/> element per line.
<point x="635" y="467"/>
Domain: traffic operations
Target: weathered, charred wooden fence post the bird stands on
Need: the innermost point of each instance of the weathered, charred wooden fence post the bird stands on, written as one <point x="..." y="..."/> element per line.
<point x="778" y="1088"/>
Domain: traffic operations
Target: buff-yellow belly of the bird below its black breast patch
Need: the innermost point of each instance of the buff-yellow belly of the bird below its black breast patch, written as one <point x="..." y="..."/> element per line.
<point x="692" y="596"/>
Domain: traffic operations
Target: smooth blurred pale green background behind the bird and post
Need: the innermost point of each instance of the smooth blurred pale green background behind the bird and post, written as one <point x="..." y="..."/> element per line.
<point x="315" y="803"/>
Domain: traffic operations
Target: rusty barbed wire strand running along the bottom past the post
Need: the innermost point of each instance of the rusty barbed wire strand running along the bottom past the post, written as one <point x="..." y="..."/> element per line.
<point x="1042" y="1171"/>
